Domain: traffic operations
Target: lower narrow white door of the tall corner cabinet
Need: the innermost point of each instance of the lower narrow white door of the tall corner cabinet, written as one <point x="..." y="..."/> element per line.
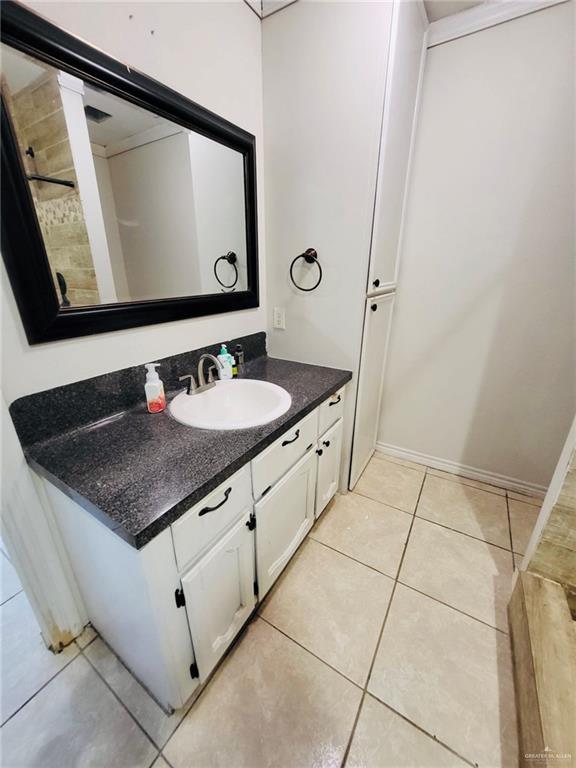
<point x="377" y="322"/>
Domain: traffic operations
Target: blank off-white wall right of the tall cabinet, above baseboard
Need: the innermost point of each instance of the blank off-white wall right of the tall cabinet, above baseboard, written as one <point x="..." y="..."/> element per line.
<point x="481" y="365"/>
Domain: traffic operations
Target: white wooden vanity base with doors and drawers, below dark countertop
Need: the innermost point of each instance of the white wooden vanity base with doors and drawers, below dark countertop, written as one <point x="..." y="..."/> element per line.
<point x="171" y="609"/>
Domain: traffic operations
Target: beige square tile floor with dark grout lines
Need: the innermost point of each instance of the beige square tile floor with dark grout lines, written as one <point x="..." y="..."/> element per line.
<point x="383" y="645"/>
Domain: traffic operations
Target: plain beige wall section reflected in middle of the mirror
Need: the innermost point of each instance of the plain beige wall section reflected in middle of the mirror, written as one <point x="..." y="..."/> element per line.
<point x="152" y="186"/>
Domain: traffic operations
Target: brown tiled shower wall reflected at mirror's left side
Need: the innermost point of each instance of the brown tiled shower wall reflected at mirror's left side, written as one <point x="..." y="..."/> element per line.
<point x="38" y="119"/>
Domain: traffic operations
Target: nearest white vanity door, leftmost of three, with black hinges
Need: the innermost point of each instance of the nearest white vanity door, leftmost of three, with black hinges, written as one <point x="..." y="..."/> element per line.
<point x="219" y="594"/>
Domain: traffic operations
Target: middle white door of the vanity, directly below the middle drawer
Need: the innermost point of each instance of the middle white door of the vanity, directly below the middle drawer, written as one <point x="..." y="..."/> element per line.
<point x="283" y="517"/>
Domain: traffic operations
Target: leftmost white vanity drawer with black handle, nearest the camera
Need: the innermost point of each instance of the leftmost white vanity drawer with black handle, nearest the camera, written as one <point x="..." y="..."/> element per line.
<point x="198" y="528"/>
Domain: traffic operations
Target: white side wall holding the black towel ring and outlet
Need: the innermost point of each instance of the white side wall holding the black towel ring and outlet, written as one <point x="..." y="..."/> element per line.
<point x="324" y="72"/>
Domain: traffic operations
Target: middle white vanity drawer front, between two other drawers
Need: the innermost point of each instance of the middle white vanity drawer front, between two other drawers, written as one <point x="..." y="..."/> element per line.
<point x="277" y="459"/>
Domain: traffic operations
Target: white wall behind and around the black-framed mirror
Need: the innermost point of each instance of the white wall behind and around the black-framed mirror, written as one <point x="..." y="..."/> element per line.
<point x="210" y="52"/>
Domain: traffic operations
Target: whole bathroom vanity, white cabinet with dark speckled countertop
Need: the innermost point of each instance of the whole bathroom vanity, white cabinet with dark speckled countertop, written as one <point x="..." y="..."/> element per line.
<point x="176" y="533"/>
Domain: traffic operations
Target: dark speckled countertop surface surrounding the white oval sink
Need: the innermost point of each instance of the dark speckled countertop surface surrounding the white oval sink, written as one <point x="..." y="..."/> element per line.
<point x="138" y="472"/>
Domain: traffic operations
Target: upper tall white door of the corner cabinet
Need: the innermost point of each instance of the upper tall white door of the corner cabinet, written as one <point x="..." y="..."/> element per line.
<point x="402" y="78"/>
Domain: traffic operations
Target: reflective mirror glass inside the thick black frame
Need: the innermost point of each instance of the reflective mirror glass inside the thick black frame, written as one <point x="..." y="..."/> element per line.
<point x="131" y="206"/>
